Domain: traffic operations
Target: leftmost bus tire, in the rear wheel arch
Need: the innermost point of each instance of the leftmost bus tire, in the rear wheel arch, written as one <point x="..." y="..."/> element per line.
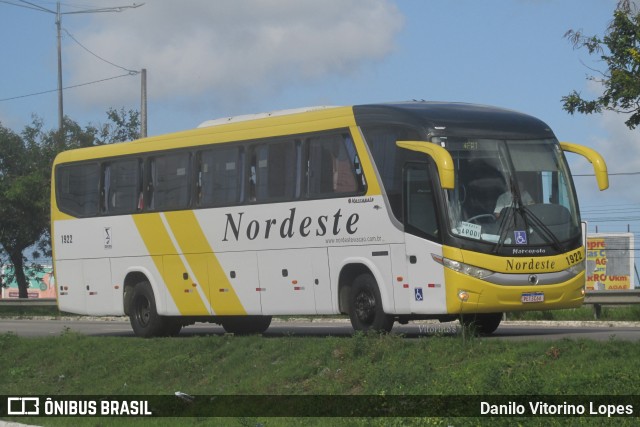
<point x="144" y="317"/>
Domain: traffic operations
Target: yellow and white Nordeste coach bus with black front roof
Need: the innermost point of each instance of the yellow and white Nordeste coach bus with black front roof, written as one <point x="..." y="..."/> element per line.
<point x="383" y="212"/>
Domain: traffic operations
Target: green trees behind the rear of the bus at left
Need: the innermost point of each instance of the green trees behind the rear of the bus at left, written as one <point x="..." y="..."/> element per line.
<point x="25" y="178"/>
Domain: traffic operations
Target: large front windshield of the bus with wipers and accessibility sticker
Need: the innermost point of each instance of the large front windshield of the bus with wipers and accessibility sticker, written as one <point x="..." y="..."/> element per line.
<point x="511" y="192"/>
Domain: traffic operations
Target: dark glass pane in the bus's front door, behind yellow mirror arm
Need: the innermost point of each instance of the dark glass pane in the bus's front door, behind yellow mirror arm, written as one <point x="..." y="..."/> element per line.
<point x="420" y="205"/>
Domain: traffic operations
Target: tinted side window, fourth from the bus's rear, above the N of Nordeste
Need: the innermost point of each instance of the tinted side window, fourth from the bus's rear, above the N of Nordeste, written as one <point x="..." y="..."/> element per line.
<point x="219" y="180"/>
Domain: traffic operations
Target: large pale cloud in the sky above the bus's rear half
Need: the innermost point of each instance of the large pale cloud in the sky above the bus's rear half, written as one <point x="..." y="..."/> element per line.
<point x="229" y="50"/>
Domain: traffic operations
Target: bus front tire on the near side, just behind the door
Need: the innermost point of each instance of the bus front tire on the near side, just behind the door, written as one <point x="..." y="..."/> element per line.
<point x="365" y="306"/>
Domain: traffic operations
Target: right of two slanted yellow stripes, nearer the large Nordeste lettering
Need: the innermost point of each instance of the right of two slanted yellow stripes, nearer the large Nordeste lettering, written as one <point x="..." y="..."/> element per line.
<point x="203" y="262"/>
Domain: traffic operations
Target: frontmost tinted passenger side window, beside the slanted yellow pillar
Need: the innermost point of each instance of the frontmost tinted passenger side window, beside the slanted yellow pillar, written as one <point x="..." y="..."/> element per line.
<point x="333" y="167"/>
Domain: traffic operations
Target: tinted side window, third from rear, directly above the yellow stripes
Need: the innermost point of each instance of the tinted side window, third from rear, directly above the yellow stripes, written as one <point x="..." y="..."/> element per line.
<point x="169" y="181"/>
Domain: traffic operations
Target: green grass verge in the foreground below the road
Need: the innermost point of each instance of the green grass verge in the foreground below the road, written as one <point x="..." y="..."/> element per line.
<point x="365" y="364"/>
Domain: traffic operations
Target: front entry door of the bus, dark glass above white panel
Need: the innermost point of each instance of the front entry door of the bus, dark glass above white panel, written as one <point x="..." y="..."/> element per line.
<point x="423" y="234"/>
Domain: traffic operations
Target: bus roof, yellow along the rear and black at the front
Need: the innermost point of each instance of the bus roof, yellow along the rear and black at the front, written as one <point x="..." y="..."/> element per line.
<point x="434" y="118"/>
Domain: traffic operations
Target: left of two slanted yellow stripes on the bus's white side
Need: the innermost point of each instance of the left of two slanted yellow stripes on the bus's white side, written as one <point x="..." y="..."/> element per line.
<point x="161" y="249"/>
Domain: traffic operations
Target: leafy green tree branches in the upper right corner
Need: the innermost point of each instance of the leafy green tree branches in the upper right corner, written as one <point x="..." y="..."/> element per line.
<point x="619" y="50"/>
